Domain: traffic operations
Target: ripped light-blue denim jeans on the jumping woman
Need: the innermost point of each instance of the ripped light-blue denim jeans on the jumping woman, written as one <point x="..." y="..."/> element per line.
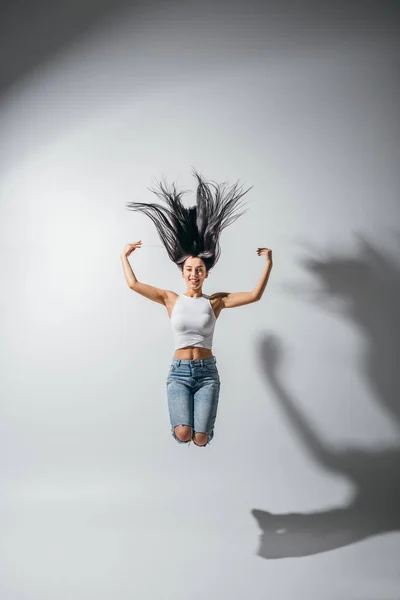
<point x="193" y="393"/>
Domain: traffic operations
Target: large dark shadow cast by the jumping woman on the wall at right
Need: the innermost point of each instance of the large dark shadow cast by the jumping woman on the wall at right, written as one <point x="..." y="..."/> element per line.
<point x="369" y="285"/>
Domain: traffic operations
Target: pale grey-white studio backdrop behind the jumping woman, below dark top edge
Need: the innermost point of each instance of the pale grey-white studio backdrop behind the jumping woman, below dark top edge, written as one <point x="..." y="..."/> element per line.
<point x="97" y="500"/>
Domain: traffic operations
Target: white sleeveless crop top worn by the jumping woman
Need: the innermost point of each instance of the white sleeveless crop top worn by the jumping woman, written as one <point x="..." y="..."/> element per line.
<point x="193" y="322"/>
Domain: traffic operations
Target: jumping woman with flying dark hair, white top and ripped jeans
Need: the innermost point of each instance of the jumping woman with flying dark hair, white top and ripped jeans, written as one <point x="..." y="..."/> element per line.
<point x="191" y="239"/>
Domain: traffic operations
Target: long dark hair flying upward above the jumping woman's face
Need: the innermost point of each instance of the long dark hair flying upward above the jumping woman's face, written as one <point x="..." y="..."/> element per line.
<point x="193" y="231"/>
